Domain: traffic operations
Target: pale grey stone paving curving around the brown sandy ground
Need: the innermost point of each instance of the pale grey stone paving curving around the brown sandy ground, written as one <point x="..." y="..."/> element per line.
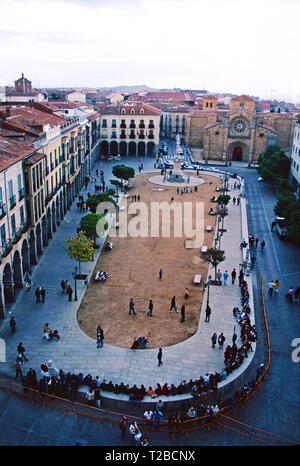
<point x="77" y="352"/>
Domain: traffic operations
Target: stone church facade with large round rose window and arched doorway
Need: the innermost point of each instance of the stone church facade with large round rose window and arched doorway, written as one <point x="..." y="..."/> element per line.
<point x="239" y="133"/>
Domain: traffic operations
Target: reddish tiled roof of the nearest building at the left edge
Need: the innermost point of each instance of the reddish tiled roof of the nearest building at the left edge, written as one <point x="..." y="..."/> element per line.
<point x="12" y="151"/>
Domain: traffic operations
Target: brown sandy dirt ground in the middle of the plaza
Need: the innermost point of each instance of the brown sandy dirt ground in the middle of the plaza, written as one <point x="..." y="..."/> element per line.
<point x="133" y="266"/>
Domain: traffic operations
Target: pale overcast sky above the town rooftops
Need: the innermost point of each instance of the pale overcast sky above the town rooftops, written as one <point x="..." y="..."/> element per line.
<point x="236" y="46"/>
